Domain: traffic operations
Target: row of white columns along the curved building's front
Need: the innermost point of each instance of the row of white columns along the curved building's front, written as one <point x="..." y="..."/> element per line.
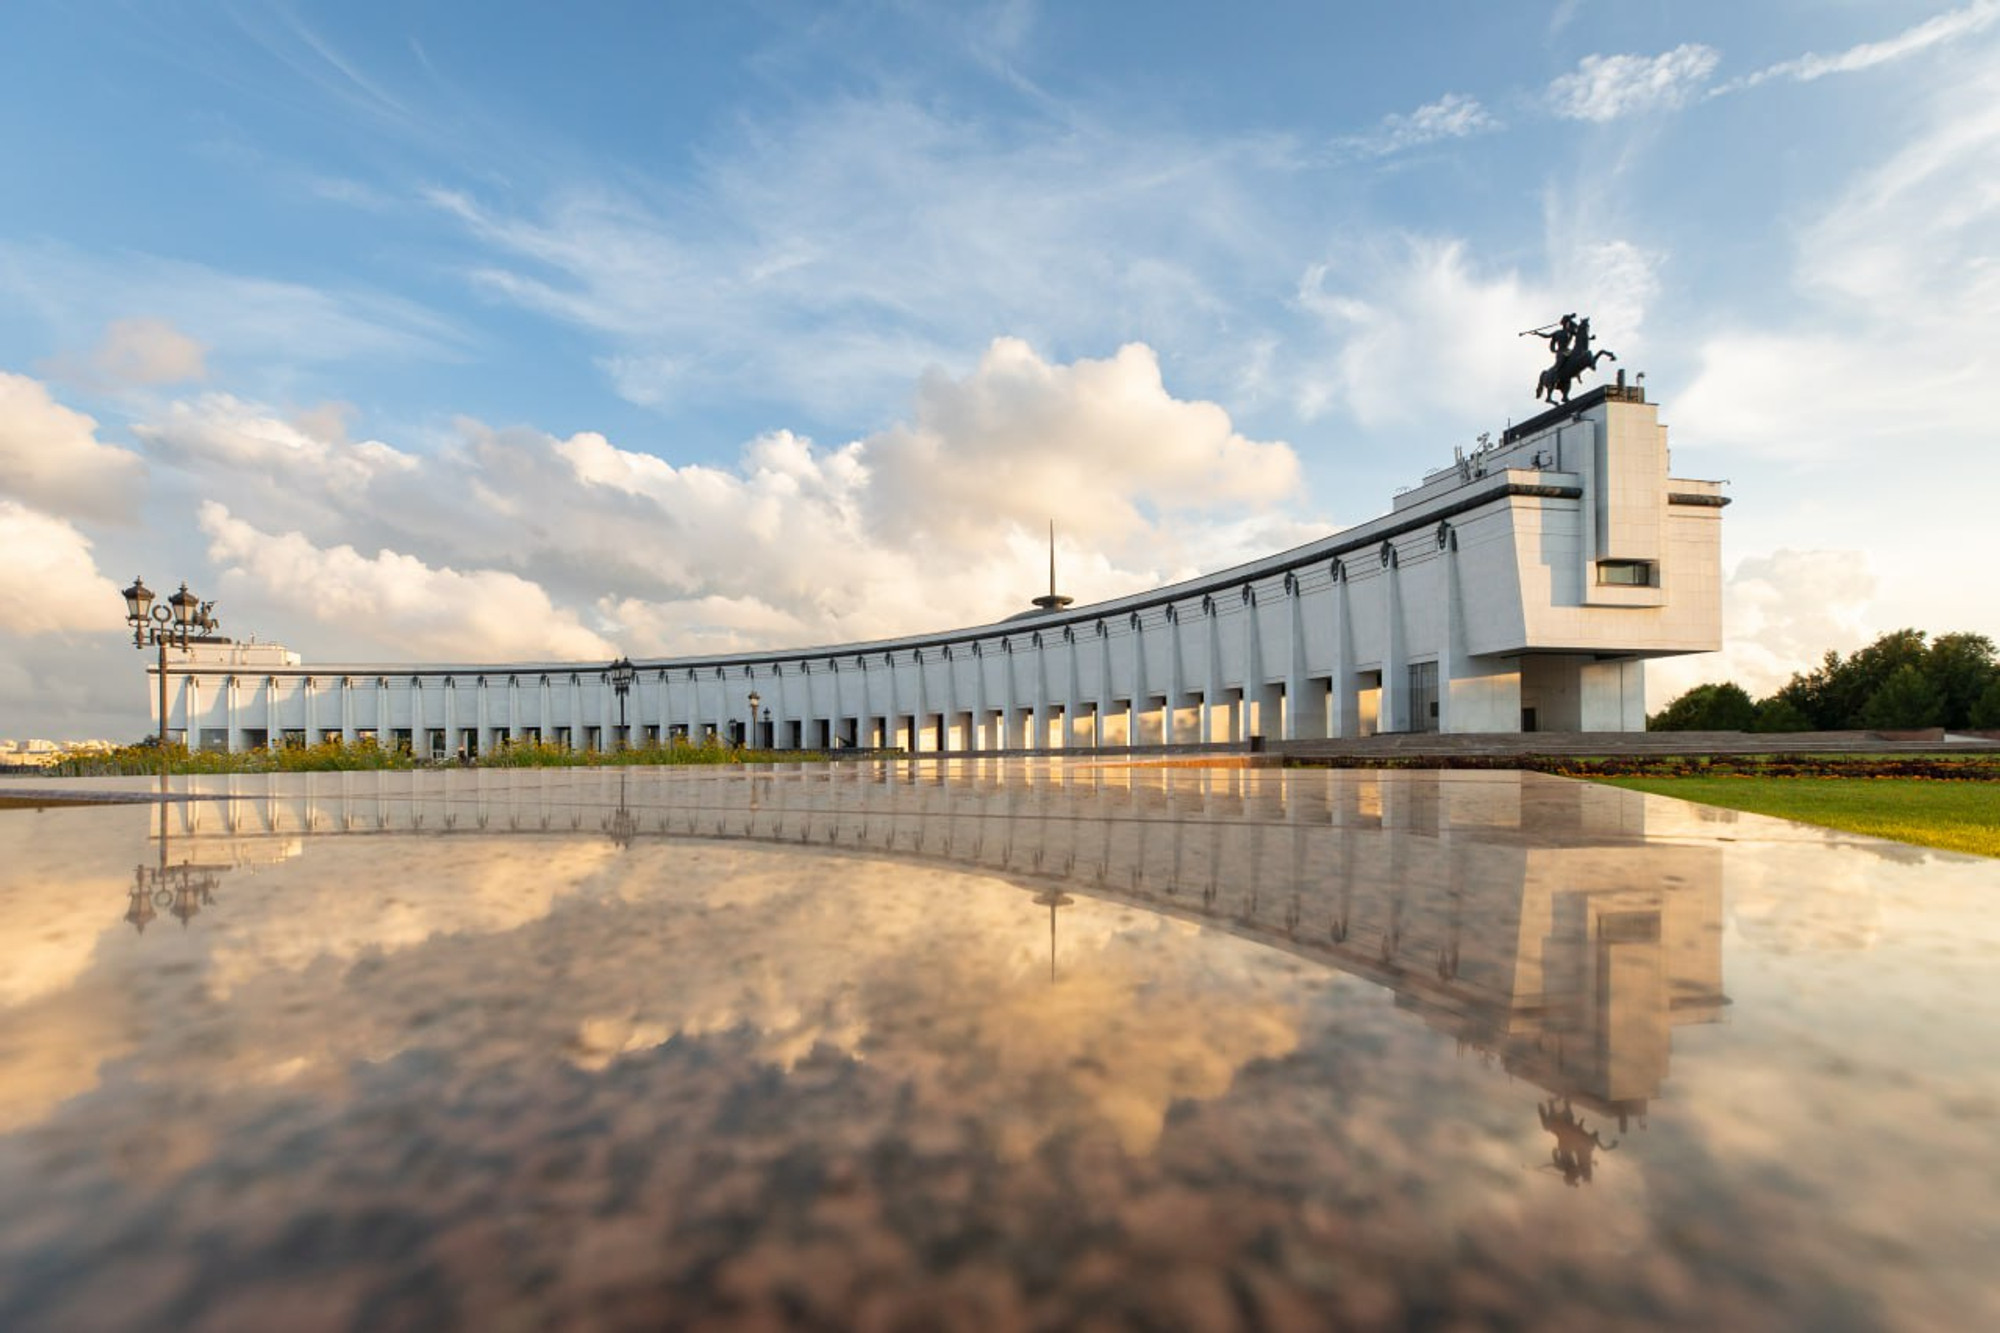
<point x="1037" y="700"/>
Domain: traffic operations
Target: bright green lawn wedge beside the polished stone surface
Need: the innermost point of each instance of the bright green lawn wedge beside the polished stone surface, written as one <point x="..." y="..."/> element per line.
<point x="1959" y="816"/>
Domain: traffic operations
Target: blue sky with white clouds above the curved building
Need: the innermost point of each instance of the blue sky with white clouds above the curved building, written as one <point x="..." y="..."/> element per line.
<point x="495" y="333"/>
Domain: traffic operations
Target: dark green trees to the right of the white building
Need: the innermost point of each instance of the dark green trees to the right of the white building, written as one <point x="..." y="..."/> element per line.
<point x="1899" y="682"/>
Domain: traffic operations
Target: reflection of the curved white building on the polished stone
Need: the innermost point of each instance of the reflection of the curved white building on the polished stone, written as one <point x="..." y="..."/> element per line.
<point x="1527" y="918"/>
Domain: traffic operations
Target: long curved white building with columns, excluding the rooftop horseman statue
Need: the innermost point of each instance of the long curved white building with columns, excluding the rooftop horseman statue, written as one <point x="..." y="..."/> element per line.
<point x="1521" y="589"/>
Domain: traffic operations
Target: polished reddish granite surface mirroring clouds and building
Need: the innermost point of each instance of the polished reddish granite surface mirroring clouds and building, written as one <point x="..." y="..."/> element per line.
<point x="987" y="1046"/>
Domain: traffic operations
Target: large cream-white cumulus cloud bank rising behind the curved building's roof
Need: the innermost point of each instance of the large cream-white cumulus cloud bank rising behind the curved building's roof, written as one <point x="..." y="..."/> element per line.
<point x="931" y="523"/>
